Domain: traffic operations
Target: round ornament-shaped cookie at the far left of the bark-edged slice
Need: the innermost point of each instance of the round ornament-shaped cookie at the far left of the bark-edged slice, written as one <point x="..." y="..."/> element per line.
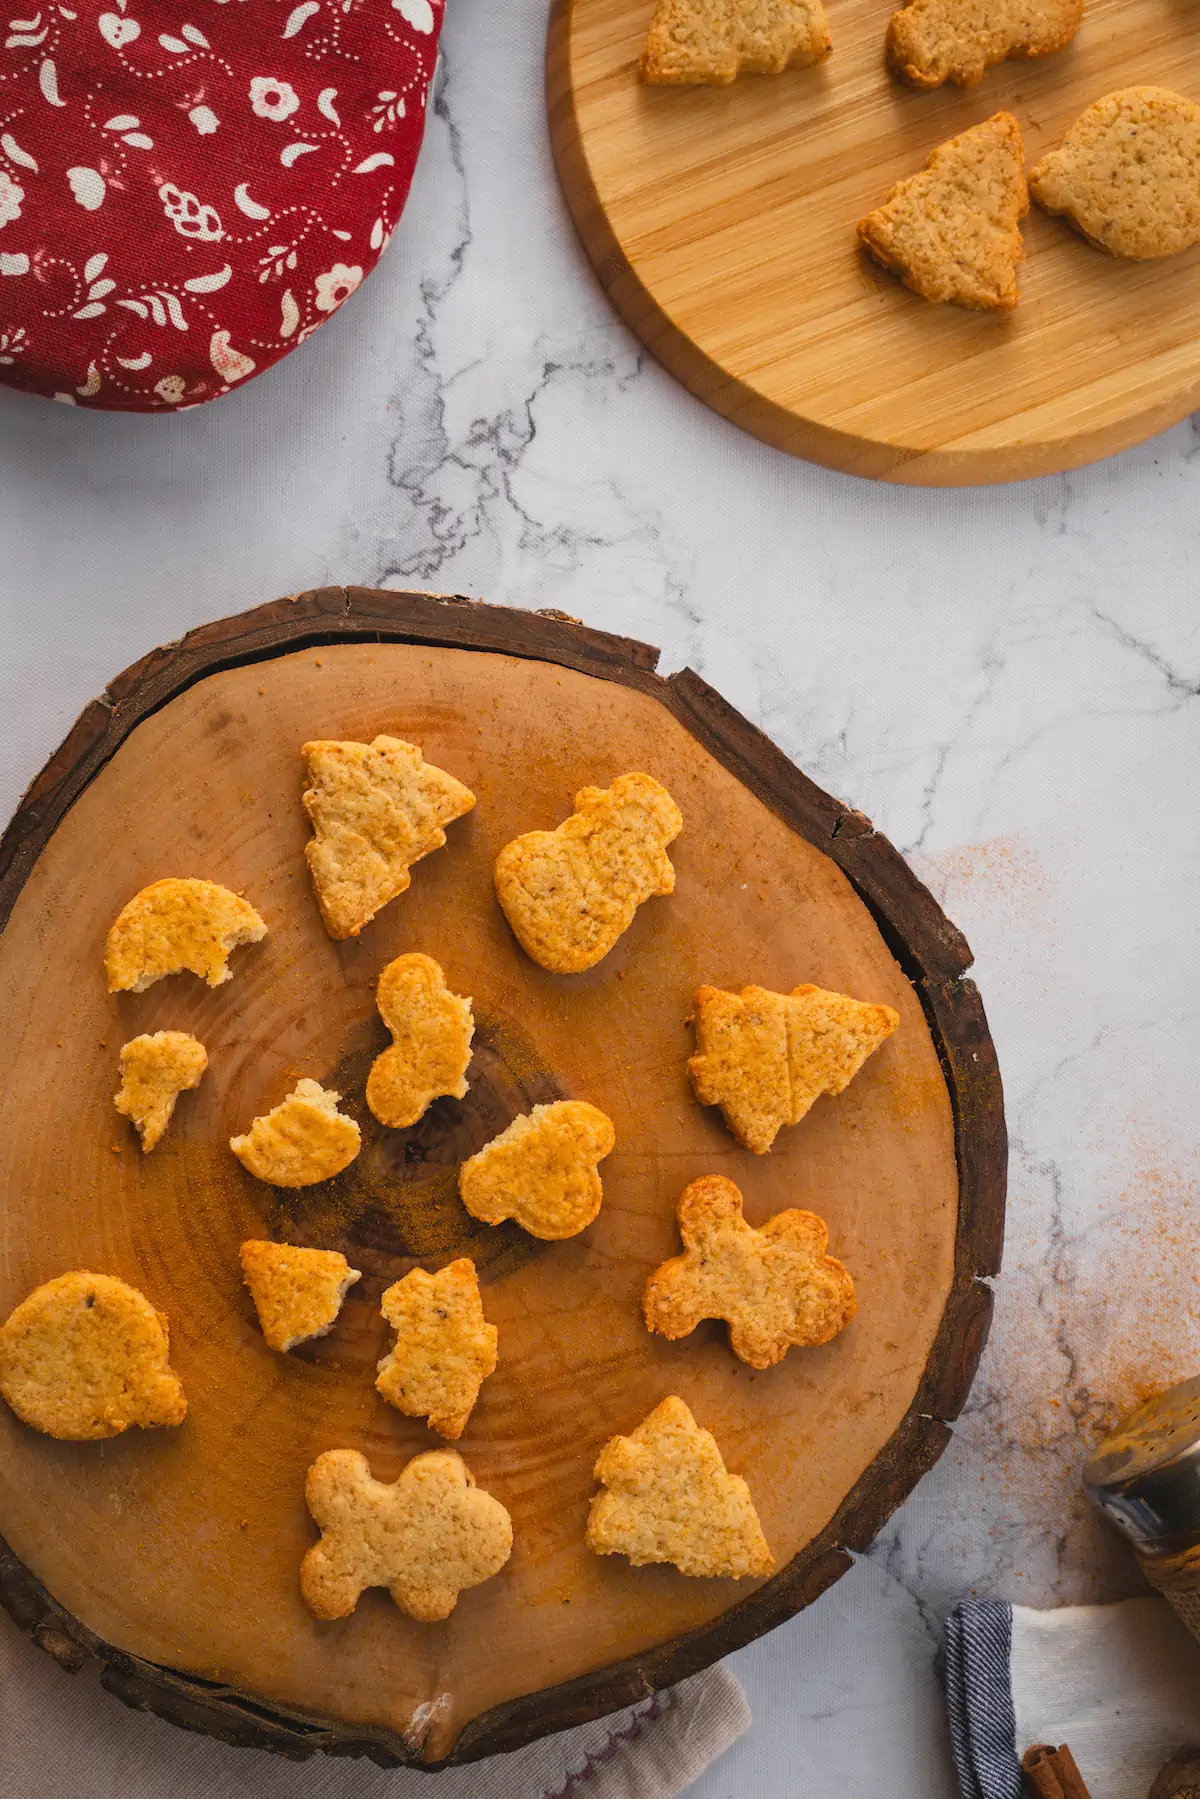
<point x="85" y="1357"/>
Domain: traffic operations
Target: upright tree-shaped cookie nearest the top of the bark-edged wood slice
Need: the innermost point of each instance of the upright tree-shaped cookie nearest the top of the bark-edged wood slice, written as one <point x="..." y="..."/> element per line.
<point x="375" y="810"/>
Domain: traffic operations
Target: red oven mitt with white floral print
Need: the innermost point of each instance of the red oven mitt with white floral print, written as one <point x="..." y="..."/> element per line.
<point x="190" y="190"/>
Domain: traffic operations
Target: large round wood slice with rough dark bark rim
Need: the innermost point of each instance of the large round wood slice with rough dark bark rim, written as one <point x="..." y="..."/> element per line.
<point x="172" y="1557"/>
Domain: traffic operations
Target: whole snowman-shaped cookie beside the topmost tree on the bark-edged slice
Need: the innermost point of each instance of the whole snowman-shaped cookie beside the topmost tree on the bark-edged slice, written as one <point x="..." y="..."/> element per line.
<point x="569" y="893"/>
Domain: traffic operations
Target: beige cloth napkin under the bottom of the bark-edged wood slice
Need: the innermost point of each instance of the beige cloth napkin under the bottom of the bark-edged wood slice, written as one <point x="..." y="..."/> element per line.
<point x="64" y="1735"/>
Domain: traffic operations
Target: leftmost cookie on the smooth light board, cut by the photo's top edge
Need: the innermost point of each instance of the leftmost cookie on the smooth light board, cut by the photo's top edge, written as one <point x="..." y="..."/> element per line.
<point x="719" y="40"/>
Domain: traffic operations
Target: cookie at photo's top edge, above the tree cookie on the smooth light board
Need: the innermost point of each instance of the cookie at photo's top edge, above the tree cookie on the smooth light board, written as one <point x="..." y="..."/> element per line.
<point x="954" y="40"/>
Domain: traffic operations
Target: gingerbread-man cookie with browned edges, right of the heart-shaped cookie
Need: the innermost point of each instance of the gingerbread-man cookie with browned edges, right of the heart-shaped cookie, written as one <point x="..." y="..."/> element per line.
<point x="775" y="1287"/>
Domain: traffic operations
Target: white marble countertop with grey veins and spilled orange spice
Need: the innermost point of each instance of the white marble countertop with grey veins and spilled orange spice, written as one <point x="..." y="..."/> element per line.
<point x="1005" y="681"/>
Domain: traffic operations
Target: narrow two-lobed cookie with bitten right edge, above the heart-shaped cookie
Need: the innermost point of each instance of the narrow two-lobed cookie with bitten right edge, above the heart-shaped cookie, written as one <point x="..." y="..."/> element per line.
<point x="433" y="1034"/>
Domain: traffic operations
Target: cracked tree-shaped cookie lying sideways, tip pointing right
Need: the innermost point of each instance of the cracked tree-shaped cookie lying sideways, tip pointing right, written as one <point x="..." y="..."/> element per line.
<point x="764" y="1057"/>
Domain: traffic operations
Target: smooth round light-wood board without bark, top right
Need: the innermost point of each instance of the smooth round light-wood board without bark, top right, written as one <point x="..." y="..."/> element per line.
<point x="722" y="226"/>
